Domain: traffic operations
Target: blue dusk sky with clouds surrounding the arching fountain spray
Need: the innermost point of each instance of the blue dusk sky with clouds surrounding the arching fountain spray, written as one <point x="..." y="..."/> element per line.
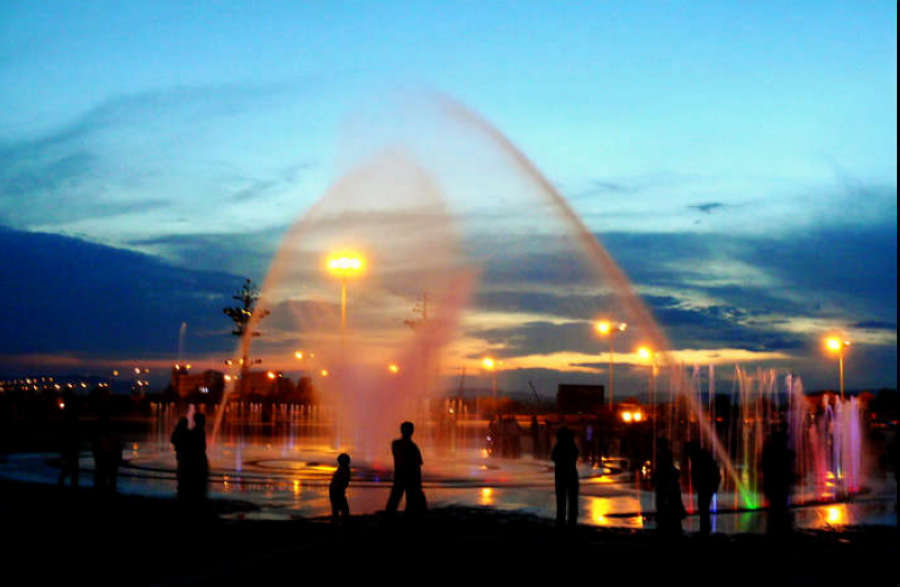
<point x="737" y="159"/>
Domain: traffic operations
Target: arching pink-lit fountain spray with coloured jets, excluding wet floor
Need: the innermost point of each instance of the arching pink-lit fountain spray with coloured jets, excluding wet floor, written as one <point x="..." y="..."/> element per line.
<point x="436" y="202"/>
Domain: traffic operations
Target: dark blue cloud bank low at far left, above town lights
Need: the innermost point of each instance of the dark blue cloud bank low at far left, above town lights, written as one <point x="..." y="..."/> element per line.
<point x="73" y="296"/>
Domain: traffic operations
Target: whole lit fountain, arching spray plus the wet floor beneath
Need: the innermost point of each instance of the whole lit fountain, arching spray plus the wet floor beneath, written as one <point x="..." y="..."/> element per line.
<point x="435" y="207"/>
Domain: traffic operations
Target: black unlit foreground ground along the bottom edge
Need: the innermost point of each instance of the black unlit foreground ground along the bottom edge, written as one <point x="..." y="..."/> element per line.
<point x="56" y="535"/>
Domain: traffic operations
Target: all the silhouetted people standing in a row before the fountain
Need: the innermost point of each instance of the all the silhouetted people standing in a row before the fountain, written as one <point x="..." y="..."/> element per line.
<point x="189" y="441"/>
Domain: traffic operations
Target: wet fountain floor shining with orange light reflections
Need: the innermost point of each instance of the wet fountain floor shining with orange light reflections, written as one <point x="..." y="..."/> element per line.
<point x="291" y="479"/>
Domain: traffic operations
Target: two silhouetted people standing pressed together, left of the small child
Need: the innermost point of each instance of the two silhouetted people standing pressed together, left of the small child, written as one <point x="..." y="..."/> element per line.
<point x="192" y="471"/>
